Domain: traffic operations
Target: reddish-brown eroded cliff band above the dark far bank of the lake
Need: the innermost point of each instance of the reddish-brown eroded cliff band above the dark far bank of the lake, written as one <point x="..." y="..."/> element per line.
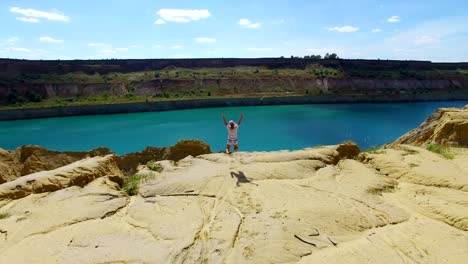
<point x="244" y="87"/>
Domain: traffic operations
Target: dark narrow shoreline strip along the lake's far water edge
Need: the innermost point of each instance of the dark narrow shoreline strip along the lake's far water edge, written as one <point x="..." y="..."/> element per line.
<point x="136" y="107"/>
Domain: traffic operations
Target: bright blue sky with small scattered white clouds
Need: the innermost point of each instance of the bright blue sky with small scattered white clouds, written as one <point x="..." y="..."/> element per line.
<point x="100" y="29"/>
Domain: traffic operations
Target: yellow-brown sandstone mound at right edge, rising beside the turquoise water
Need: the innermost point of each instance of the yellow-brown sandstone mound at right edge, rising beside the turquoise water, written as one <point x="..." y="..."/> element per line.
<point x="447" y="126"/>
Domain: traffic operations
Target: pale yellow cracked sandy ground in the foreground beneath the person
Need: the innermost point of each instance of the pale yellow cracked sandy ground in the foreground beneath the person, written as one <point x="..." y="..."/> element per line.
<point x="332" y="204"/>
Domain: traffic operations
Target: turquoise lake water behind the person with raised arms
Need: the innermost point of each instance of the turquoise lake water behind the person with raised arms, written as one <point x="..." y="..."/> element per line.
<point x="264" y="128"/>
